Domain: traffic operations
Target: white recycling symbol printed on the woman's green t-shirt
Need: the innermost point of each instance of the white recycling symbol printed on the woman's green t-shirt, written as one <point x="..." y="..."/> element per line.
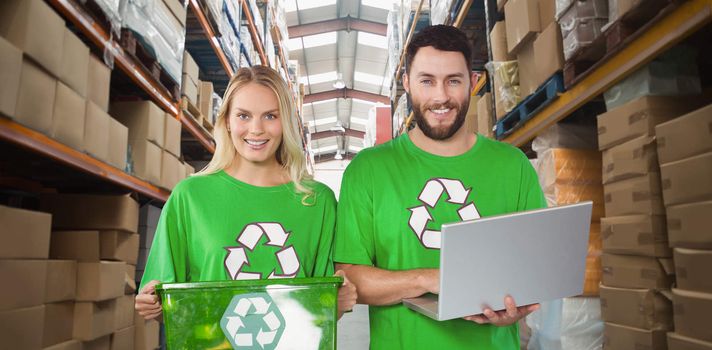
<point x="237" y="258"/>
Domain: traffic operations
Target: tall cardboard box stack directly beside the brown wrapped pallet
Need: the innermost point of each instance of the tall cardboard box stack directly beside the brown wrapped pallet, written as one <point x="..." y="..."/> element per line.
<point x="638" y="270"/>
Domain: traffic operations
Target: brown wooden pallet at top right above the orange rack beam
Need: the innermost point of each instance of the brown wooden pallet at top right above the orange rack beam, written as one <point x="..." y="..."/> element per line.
<point x="615" y="36"/>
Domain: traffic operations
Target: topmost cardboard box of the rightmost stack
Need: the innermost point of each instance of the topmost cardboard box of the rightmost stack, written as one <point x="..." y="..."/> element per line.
<point x="686" y="136"/>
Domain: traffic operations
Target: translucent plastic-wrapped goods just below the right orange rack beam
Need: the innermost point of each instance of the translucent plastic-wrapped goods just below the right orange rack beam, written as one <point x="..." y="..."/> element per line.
<point x="671" y="74"/>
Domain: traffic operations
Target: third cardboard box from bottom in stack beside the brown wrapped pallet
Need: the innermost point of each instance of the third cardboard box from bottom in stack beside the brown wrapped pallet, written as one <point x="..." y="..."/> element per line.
<point x="627" y="271"/>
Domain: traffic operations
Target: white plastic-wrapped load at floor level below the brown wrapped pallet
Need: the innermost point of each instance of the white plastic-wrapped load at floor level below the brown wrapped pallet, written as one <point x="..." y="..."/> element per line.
<point x="567" y="324"/>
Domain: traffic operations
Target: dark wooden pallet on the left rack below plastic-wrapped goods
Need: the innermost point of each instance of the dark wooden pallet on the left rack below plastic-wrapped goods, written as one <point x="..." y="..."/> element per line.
<point x="146" y="58"/>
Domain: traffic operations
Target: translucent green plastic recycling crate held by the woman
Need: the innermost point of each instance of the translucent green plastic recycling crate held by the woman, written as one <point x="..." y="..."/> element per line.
<point x="295" y="313"/>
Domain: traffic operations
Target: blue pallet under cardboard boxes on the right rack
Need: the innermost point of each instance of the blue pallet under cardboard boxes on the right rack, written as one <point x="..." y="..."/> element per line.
<point x="526" y="109"/>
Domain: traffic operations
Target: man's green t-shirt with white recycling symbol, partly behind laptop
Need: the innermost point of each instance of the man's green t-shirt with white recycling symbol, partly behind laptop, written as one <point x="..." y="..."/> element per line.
<point x="394" y="198"/>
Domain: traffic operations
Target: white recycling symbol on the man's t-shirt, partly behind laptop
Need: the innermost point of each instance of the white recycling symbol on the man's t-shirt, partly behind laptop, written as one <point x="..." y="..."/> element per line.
<point x="429" y="196"/>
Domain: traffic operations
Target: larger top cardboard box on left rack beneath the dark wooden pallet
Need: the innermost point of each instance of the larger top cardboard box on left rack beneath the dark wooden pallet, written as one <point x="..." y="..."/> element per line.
<point x="145" y="120"/>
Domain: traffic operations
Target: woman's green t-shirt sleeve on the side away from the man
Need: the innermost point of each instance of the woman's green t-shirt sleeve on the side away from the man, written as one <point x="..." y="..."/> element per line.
<point x="167" y="259"/>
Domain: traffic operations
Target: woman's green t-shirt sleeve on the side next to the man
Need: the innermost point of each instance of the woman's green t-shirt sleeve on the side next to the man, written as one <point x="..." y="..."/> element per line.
<point x="324" y="263"/>
